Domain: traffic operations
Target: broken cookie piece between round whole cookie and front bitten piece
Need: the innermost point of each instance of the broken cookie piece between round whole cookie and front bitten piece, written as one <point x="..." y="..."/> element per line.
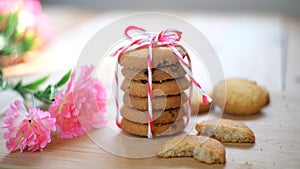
<point x="226" y="131"/>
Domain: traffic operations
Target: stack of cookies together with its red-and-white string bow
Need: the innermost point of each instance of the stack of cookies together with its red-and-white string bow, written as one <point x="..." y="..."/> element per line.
<point x="156" y="77"/>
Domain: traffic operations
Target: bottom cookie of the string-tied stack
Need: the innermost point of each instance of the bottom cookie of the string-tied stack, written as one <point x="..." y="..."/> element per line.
<point x="139" y="129"/>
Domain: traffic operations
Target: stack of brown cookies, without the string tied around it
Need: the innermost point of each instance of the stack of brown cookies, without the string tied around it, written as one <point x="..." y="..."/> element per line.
<point x="168" y="85"/>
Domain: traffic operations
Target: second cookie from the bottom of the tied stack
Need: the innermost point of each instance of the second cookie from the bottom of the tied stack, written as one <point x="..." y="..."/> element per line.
<point x="166" y="116"/>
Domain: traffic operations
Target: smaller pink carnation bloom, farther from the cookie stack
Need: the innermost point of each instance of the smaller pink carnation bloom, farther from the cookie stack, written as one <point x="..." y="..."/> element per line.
<point x="31" y="130"/>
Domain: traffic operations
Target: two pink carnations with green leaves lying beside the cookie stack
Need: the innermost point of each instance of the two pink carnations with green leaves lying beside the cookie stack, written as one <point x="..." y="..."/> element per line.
<point x="72" y="112"/>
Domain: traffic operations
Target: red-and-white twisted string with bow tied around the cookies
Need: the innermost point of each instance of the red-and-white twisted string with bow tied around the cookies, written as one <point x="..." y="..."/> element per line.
<point x="170" y="38"/>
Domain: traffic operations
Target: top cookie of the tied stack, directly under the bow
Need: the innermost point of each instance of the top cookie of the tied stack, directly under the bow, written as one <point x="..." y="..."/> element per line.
<point x="161" y="57"/>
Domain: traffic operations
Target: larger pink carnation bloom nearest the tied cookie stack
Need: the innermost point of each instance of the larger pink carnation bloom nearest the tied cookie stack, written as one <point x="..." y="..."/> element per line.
<point x="81" y="108"/>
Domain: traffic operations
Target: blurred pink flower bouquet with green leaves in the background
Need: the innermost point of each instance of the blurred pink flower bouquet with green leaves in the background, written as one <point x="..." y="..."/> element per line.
<point x="23" y="30"/>
